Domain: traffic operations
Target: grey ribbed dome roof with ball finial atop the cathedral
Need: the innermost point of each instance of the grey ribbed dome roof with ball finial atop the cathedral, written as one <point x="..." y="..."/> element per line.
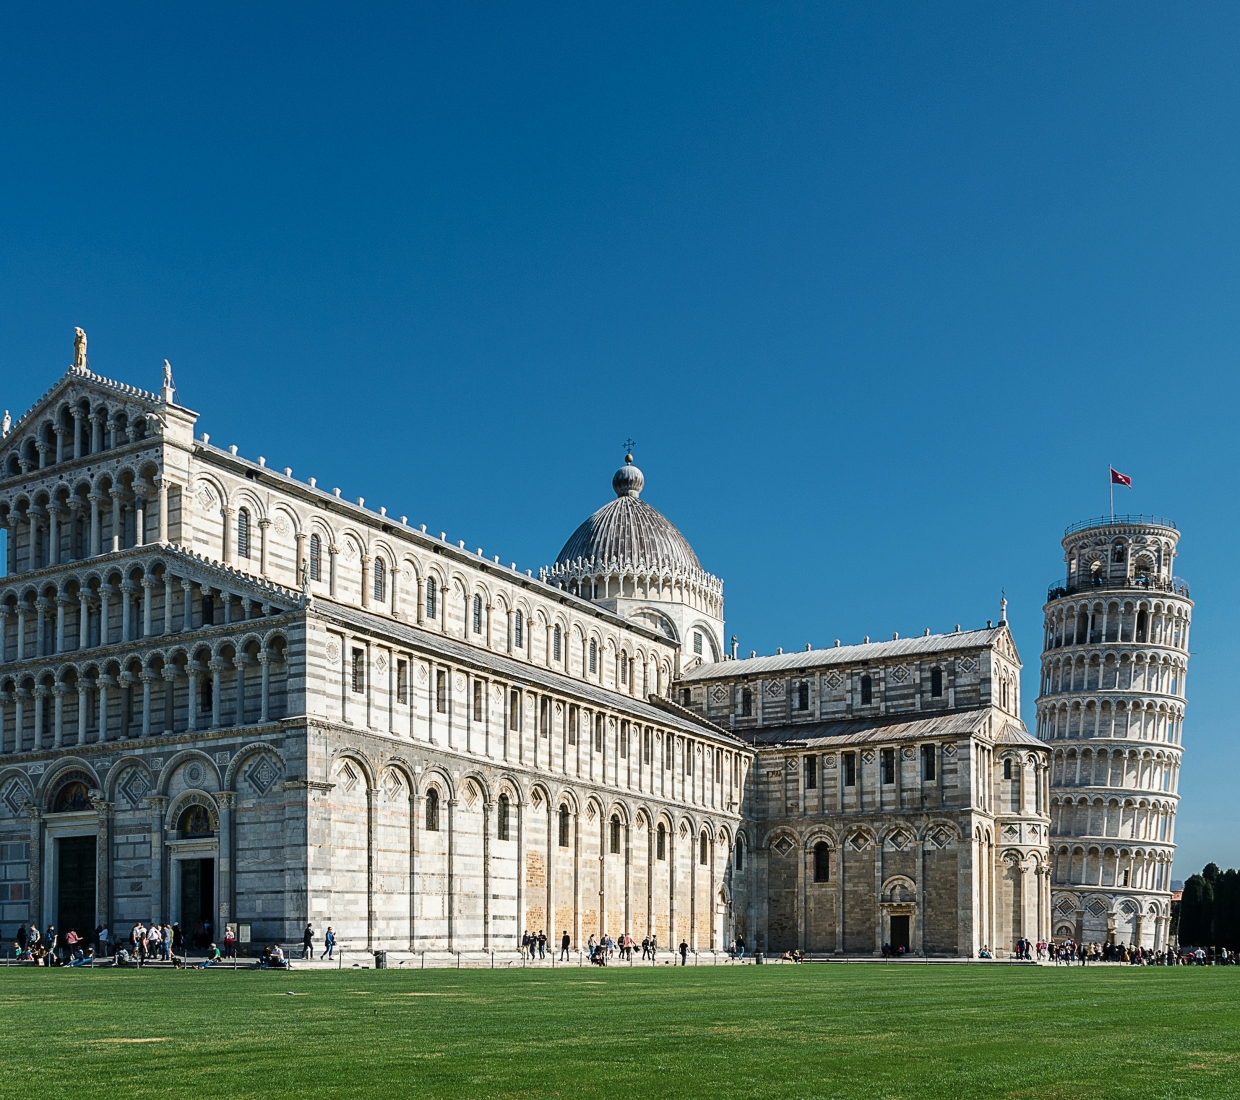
<point x="629" y="533"/>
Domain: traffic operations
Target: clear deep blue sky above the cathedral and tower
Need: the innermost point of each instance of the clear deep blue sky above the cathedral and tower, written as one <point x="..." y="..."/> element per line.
<point x="879" y="290"/>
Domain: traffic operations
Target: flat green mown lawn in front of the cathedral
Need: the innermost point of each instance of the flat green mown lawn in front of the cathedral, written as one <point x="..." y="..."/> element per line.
<point x="778" y="1031"/>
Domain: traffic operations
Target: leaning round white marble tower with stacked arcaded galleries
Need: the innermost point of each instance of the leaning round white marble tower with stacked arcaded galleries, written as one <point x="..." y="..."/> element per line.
<point x="1112" y="707"/>
